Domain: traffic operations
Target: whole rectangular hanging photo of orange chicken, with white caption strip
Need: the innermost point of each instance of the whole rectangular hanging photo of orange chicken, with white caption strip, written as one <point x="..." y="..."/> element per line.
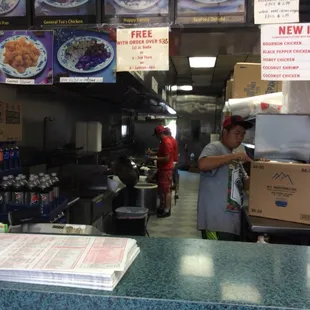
<point x="26" y="57"/>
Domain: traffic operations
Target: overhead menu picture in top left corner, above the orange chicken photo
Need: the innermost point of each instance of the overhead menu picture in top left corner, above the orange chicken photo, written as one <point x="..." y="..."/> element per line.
<point x="13" y="13"/>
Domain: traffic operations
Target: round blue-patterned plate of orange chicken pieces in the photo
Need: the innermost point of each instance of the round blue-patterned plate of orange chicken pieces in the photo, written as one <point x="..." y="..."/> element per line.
<point x="22" y="56"/>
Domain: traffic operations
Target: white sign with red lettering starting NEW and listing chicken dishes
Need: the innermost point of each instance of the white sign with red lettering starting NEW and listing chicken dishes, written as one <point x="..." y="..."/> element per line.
<point x="285" y="52"/>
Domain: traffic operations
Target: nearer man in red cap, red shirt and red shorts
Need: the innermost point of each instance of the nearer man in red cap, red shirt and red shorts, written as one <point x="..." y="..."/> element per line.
<point x="164" y="170"/>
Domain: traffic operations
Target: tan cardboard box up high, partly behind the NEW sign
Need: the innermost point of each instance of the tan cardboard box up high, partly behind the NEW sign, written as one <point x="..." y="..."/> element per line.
<point x="248" y="83"/>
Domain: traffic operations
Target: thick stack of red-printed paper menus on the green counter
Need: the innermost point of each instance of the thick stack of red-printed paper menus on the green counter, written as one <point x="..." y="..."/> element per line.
<point x="76" y="261"/>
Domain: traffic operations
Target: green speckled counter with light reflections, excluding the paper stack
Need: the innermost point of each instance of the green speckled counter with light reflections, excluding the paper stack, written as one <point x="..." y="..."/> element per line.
<point x="187" y="274"/>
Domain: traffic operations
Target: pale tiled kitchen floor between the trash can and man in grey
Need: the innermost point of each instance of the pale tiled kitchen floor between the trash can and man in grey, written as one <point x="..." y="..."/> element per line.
<point x="182" y="222"/>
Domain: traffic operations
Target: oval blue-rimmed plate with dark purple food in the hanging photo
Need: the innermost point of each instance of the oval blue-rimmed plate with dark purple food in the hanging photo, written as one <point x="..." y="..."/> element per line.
<point x="85" y="54"/>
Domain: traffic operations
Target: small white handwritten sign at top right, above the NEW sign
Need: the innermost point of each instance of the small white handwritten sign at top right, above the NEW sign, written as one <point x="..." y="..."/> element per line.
<point x="276" y="12"/>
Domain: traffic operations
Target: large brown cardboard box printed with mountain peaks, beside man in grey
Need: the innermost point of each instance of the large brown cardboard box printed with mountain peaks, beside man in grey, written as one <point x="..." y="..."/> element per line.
<point x="280" y="191"/>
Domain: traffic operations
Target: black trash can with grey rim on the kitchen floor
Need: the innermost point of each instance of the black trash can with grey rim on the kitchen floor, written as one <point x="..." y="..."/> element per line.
<point x="131" y="221"/>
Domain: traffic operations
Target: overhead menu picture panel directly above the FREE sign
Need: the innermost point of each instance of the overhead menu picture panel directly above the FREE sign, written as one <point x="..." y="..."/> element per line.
<point x="136" y="11"/>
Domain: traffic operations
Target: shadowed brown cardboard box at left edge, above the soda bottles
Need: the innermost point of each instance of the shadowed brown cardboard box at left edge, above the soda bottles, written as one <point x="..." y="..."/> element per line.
<point x="10" y="122"/>
